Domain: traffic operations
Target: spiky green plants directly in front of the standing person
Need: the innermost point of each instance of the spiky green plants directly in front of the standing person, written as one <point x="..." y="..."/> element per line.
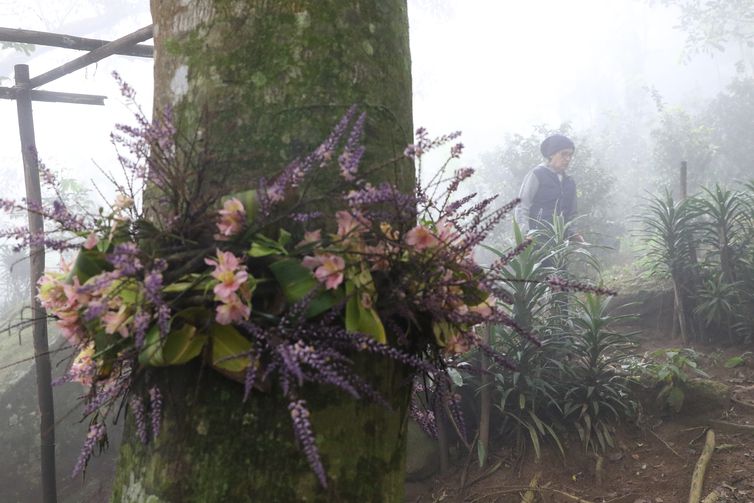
<point x="573" y="379"/>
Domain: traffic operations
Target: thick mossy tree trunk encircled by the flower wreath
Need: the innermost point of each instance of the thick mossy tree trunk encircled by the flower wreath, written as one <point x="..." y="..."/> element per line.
<point x="257" y="83"/>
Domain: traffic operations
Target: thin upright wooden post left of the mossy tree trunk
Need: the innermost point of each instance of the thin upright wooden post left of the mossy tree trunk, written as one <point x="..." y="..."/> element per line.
<point x="37" y="258"/>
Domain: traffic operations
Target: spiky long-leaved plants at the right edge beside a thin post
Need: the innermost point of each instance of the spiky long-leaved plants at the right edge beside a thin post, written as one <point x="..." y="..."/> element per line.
<point x="705" y="244"/>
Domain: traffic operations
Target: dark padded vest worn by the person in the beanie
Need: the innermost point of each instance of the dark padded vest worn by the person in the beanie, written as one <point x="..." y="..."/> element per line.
<point x="553" y="196"/>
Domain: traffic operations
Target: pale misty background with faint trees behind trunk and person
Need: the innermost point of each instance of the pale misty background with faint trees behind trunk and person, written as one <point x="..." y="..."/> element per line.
<point x="640" y="85"/>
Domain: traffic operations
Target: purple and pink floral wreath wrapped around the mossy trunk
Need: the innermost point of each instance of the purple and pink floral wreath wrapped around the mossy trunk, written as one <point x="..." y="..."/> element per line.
<point x="264" y="287"/>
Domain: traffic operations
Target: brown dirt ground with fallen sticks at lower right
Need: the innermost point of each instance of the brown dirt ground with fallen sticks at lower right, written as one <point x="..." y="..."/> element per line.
<point x="652" y="462"/>
